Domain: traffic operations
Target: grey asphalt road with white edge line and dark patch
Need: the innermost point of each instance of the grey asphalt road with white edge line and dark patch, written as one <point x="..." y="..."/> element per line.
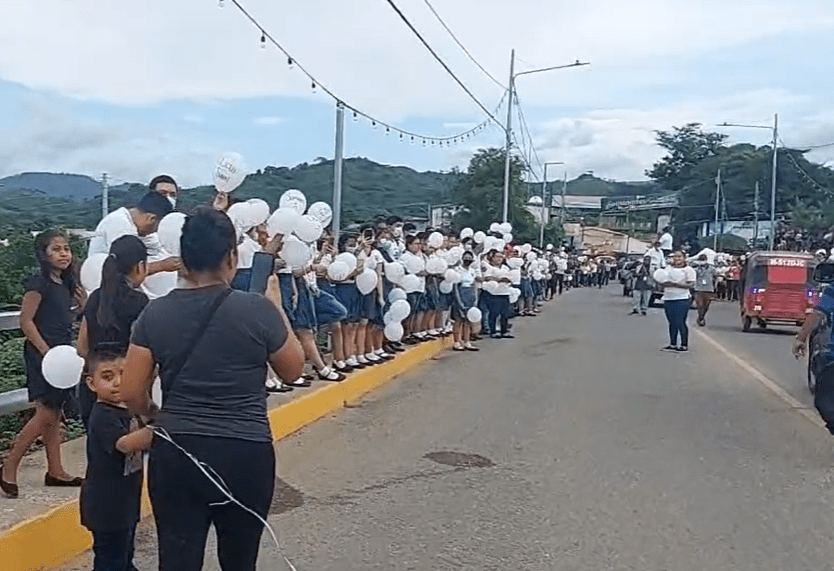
<point x="576" y="446"/>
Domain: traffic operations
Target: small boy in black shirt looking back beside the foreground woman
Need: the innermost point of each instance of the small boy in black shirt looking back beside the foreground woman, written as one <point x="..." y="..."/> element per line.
<point x="112" y="489"/>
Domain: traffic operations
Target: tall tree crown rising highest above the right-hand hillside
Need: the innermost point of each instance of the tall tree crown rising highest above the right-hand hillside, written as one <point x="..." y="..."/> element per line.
<point x="687" y="146"/>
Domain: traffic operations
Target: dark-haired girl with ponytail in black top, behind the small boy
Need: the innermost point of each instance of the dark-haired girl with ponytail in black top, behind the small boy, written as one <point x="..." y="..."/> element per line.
<point x="112" y="309"/>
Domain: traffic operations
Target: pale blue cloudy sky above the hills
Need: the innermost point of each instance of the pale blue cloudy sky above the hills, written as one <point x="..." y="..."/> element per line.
<point x="147" y="86"/>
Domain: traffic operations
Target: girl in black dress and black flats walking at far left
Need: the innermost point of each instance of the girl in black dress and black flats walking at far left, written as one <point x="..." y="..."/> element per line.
<point x="46" y="317"/>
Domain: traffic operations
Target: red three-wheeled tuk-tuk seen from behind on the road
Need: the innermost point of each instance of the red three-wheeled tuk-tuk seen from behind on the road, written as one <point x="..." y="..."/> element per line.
<point x="778" y="288"/>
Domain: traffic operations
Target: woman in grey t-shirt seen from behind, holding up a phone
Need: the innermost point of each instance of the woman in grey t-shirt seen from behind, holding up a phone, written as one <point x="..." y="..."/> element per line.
<point x="212" y="347"/>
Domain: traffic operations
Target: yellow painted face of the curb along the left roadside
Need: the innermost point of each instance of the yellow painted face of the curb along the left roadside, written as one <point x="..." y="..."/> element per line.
<point x="56" y="537"/>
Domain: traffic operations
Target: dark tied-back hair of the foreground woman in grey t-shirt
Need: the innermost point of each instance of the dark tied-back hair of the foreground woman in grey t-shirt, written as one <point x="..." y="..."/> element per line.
<point x="208" y="237"/>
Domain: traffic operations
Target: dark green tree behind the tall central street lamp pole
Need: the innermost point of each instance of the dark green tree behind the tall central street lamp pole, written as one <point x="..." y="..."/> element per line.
<point x="480" y="191"/>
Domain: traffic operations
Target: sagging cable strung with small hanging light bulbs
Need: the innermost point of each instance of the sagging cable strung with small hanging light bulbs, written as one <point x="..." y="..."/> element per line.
<point x="403" y="133"/>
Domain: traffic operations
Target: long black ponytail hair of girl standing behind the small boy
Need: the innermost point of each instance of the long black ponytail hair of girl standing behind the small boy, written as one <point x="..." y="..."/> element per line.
<point x="125" y="253"/>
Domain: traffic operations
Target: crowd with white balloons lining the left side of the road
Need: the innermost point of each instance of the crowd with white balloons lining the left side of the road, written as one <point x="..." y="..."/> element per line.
<point x="193" y="325"/>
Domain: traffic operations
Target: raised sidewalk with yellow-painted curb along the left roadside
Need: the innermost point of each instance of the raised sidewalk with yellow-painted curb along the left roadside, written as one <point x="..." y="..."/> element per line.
<point x="41" y="529"/>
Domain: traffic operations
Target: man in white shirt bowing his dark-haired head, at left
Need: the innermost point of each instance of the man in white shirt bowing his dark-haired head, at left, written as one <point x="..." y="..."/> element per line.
<point x="141" y="220"/>
